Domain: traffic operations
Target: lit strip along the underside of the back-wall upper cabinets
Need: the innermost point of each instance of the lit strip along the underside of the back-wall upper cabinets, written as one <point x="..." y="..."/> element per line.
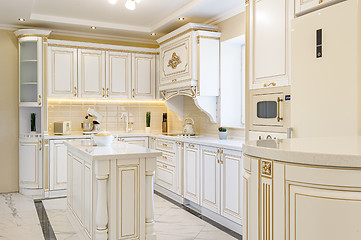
<point x="103" y="101"/>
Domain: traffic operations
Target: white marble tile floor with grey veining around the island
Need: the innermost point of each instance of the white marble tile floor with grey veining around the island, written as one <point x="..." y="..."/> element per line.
<point x="19" y="220"/>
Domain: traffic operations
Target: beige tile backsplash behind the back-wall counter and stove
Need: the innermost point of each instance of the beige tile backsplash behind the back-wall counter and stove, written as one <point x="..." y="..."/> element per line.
<point x="75" y="112"/>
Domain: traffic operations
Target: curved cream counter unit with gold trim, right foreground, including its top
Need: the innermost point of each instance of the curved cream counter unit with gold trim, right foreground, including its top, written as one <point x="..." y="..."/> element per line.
<point x="302" y="189"/>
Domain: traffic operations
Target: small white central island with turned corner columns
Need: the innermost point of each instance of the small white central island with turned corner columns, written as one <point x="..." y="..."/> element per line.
<point x="110" y="189"/>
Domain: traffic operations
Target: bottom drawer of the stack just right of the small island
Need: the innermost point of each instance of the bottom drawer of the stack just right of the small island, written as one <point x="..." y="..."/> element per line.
<point x="165" y="176"/>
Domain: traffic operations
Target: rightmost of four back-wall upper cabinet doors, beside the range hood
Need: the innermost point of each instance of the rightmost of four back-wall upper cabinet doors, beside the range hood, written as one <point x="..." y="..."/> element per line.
<point x="143" y="76"/>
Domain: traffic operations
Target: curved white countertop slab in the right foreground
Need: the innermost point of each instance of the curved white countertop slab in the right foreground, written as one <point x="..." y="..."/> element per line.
<point x="329" y="152"/>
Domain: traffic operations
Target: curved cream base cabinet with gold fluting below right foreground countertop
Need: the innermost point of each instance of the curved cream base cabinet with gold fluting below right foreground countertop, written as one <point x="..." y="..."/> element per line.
<point x="304" y="202"/>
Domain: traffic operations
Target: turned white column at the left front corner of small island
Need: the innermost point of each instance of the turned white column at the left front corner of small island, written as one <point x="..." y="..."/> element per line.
<point x="101" y="216"/>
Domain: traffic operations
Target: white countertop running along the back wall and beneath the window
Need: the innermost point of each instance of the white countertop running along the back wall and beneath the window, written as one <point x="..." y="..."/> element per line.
<point x="233" y="144"/>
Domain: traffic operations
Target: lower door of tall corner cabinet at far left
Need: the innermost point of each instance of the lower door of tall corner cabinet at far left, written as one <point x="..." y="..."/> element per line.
<point x="30" y="171"/>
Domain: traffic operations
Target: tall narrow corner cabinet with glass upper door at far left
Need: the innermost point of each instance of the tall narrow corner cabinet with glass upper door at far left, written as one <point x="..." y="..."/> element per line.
<point x="31" y="111"/>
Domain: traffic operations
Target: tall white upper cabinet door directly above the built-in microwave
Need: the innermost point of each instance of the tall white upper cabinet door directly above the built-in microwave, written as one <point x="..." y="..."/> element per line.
<point x="269" y="43"/>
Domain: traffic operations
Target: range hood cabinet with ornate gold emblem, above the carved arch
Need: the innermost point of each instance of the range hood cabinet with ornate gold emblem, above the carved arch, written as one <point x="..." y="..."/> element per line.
<point x="189" y="58"/>
